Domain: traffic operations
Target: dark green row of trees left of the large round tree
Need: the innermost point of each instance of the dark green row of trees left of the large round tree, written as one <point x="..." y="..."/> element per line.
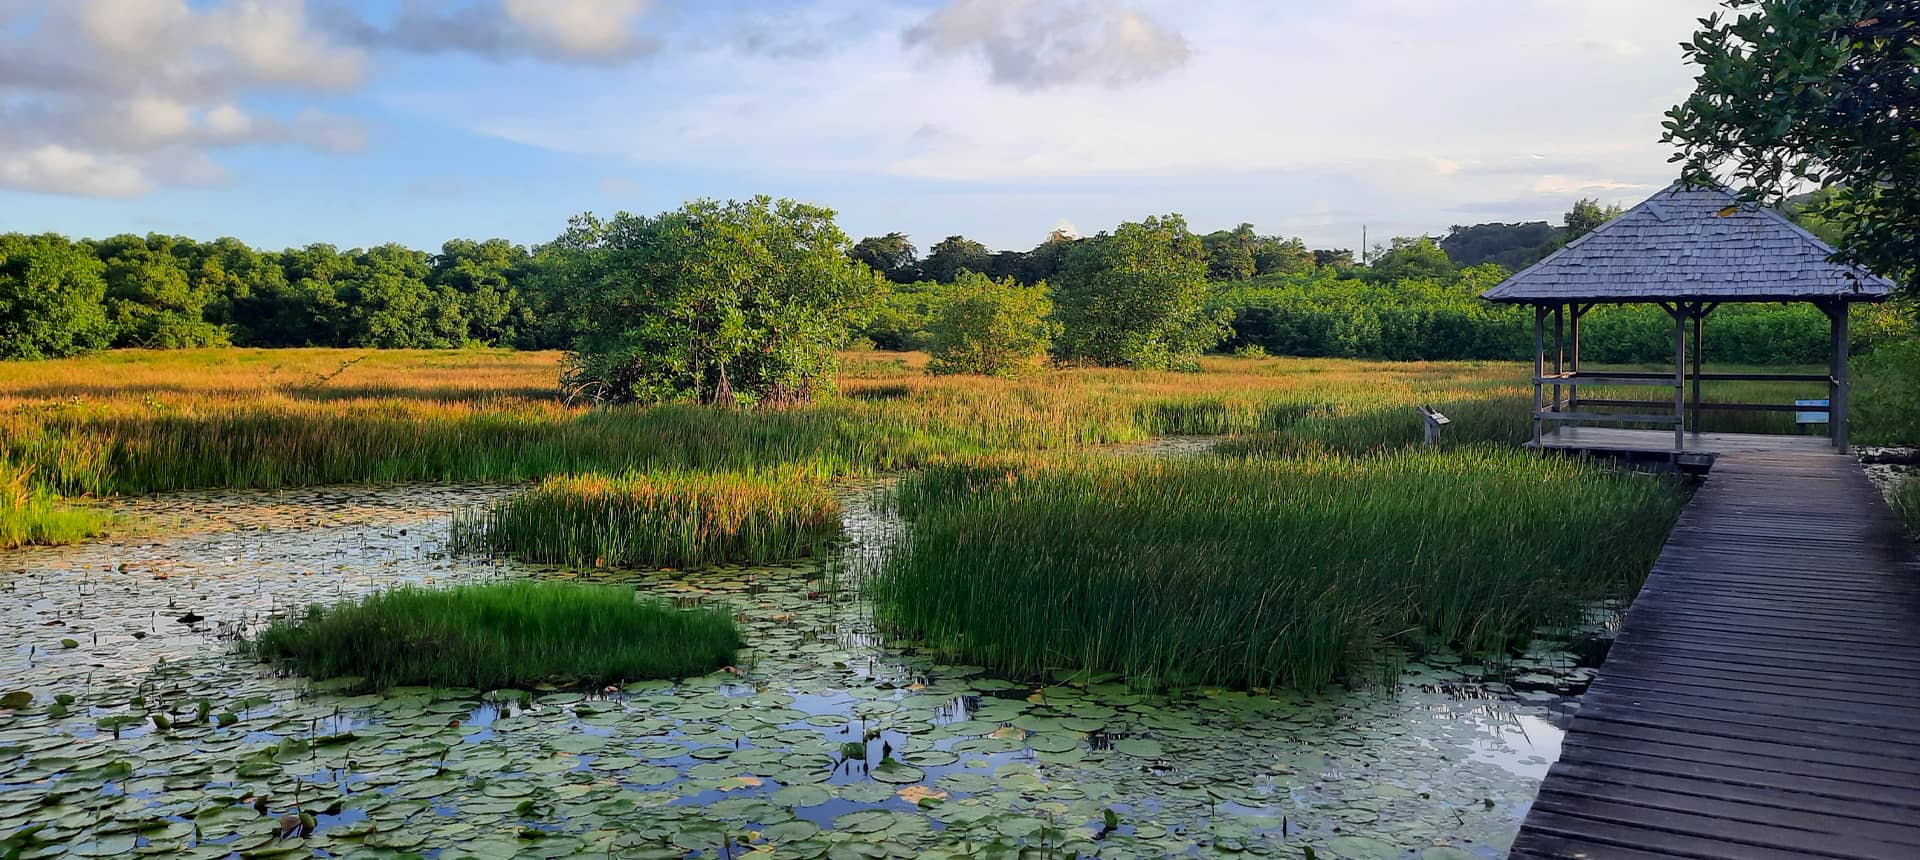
<point x="60" y="297"/>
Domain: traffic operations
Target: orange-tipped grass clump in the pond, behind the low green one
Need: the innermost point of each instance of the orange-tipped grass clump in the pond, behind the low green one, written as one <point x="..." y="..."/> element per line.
<point x="663" y="519"/>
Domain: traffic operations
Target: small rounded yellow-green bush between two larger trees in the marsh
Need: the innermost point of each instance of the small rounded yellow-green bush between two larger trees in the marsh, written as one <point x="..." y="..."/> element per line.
<point x="992" y="327"/>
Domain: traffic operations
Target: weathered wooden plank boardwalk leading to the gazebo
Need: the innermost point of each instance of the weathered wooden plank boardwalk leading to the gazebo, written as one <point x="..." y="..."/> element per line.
<point x="1764" y="698"/>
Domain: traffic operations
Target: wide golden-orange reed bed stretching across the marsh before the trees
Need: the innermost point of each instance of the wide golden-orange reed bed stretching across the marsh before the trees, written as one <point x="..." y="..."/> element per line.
<point x="155" y="421"/>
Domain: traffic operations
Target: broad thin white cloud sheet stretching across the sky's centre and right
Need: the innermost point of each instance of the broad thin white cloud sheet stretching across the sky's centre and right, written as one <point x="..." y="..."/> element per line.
<point x="1410" y="112"/>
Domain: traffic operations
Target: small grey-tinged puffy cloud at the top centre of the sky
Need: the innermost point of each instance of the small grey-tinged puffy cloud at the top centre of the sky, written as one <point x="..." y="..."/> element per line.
<point x="1045" y="43"/>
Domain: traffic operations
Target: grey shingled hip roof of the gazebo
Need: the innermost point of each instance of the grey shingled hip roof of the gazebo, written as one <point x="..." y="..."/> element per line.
<point x="1677" y="247"/>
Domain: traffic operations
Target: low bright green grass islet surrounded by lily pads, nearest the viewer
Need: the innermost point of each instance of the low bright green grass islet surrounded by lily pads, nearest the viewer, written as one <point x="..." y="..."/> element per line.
<point x="508" y="634"/>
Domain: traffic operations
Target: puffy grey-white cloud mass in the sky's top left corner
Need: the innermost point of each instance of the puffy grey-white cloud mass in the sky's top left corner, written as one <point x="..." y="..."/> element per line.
<point x="118" y="97"/>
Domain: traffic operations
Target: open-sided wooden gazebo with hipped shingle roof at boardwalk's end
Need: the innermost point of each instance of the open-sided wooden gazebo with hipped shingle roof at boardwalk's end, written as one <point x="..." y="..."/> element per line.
<point x="1687" y="251"/>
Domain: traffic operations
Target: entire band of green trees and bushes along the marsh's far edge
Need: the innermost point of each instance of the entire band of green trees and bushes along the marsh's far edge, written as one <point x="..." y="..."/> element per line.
<point x="746" y="302"/>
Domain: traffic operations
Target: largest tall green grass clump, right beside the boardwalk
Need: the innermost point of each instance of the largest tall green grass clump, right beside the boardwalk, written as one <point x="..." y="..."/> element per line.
<point x="1257" y="573"/>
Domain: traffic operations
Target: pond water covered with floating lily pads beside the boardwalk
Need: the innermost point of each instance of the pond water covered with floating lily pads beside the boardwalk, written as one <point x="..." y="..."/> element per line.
<point x="825" y="742"/>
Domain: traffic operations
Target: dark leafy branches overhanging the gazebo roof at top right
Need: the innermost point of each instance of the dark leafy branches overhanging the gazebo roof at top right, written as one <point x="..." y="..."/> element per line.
<point x="1813" y="93"/>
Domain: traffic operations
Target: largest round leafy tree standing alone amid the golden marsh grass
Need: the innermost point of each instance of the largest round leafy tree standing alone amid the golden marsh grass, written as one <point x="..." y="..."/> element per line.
<point x="738" y="302"/>
